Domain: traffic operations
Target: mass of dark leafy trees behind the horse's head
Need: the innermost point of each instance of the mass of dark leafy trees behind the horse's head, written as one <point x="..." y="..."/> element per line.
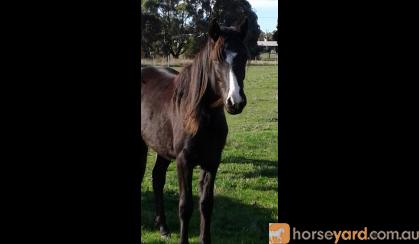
<point x="178" y="26"/>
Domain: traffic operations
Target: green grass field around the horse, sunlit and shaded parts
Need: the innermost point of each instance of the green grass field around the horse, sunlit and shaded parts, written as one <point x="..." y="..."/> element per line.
<point x="246" y="196"/>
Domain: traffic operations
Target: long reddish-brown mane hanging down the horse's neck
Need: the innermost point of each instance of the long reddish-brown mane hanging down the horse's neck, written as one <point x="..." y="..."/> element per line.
<point x="192" y="83"/>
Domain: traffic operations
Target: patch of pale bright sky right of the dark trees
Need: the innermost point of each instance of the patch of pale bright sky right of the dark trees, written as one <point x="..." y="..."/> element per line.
<point x="267" y="12"/>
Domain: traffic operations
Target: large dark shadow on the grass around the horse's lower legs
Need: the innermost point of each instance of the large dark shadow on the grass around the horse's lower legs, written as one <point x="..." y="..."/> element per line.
<point x="232" y="221"/>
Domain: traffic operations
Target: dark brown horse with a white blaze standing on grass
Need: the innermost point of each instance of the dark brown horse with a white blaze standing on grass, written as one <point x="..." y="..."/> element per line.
<point x="182" y="119"/>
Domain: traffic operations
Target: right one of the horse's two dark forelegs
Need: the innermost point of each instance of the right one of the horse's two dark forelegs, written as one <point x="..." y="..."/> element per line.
<point x="206" y="185"/>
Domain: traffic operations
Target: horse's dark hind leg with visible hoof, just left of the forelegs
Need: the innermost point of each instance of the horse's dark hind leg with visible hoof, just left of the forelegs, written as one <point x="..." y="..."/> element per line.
<point x="159" y="179"/>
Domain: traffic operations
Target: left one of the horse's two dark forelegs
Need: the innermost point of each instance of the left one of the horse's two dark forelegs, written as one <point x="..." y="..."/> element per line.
<point x="184" y="171"/>
